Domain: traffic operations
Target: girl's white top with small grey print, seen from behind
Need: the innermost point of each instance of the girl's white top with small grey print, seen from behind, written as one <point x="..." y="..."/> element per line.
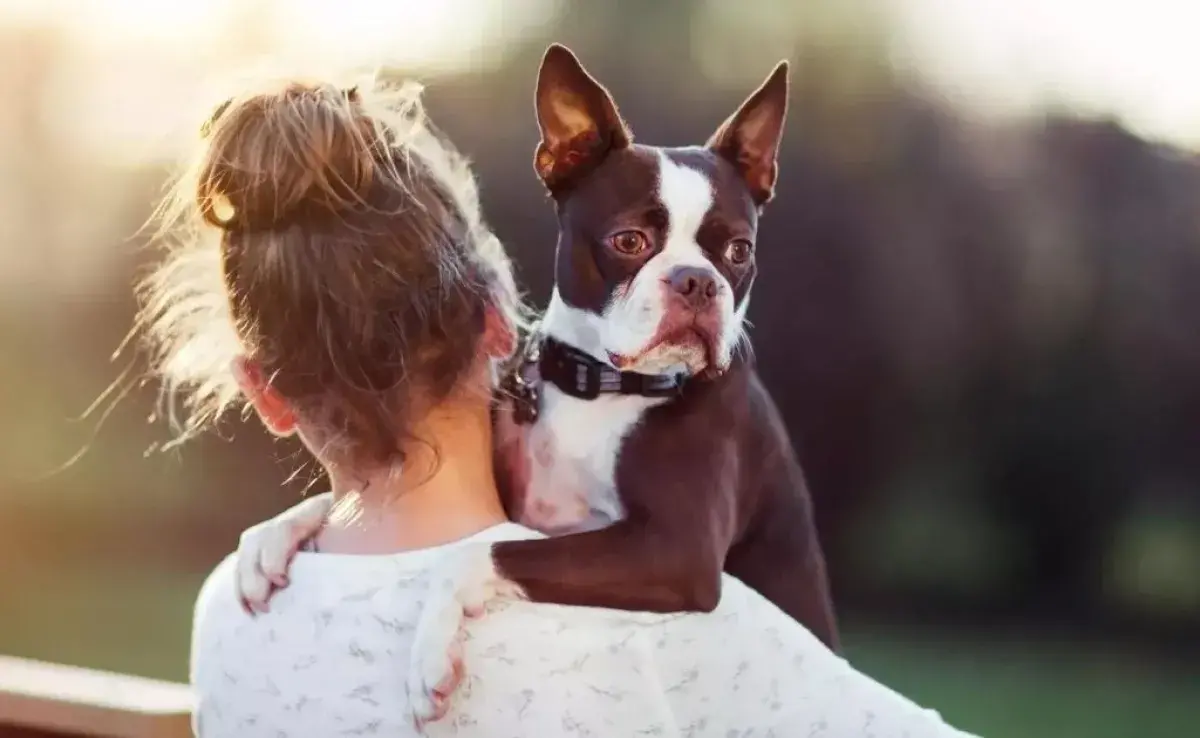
<point x="331" y="657"/>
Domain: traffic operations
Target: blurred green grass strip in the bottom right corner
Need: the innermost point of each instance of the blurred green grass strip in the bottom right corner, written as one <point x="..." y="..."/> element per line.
<point x="1030" y="689"/>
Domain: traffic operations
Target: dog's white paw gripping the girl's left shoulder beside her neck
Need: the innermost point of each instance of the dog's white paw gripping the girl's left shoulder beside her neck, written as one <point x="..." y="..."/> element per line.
<point x="266" y="550"/>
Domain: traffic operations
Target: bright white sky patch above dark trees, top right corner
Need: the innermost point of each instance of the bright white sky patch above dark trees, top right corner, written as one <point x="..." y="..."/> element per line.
<point x="1135" y="61"/>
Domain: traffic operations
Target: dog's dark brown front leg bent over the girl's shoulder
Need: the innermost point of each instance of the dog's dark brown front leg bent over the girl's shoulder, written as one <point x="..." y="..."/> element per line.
<point x="665" y="556"/>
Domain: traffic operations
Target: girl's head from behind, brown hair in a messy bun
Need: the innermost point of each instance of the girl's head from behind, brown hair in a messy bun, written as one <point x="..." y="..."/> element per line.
<point x="333" y="268"/>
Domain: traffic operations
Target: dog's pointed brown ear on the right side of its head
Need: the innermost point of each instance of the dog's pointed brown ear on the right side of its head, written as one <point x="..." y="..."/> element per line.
<point x="751" y="139"/>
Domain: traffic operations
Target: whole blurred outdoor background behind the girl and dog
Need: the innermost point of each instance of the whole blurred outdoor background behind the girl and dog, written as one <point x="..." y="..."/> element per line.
<point x="977" y="310"/>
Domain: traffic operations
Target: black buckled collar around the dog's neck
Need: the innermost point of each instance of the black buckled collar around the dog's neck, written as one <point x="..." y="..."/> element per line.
<point x="578" y="375"/>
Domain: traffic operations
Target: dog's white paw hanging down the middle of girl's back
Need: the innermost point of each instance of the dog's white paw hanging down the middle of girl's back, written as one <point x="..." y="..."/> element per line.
<point x="459" y="590"/>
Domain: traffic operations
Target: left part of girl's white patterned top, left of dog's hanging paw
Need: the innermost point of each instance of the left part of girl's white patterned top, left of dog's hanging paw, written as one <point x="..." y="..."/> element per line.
<point x="329" y="659"/>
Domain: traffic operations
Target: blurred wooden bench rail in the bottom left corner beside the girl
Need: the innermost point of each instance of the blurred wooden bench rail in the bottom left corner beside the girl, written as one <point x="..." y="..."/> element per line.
<point x="40" y="700"/>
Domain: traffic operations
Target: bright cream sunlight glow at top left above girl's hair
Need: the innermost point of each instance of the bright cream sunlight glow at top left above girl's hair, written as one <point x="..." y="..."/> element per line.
<point x="145" y="71"/>
